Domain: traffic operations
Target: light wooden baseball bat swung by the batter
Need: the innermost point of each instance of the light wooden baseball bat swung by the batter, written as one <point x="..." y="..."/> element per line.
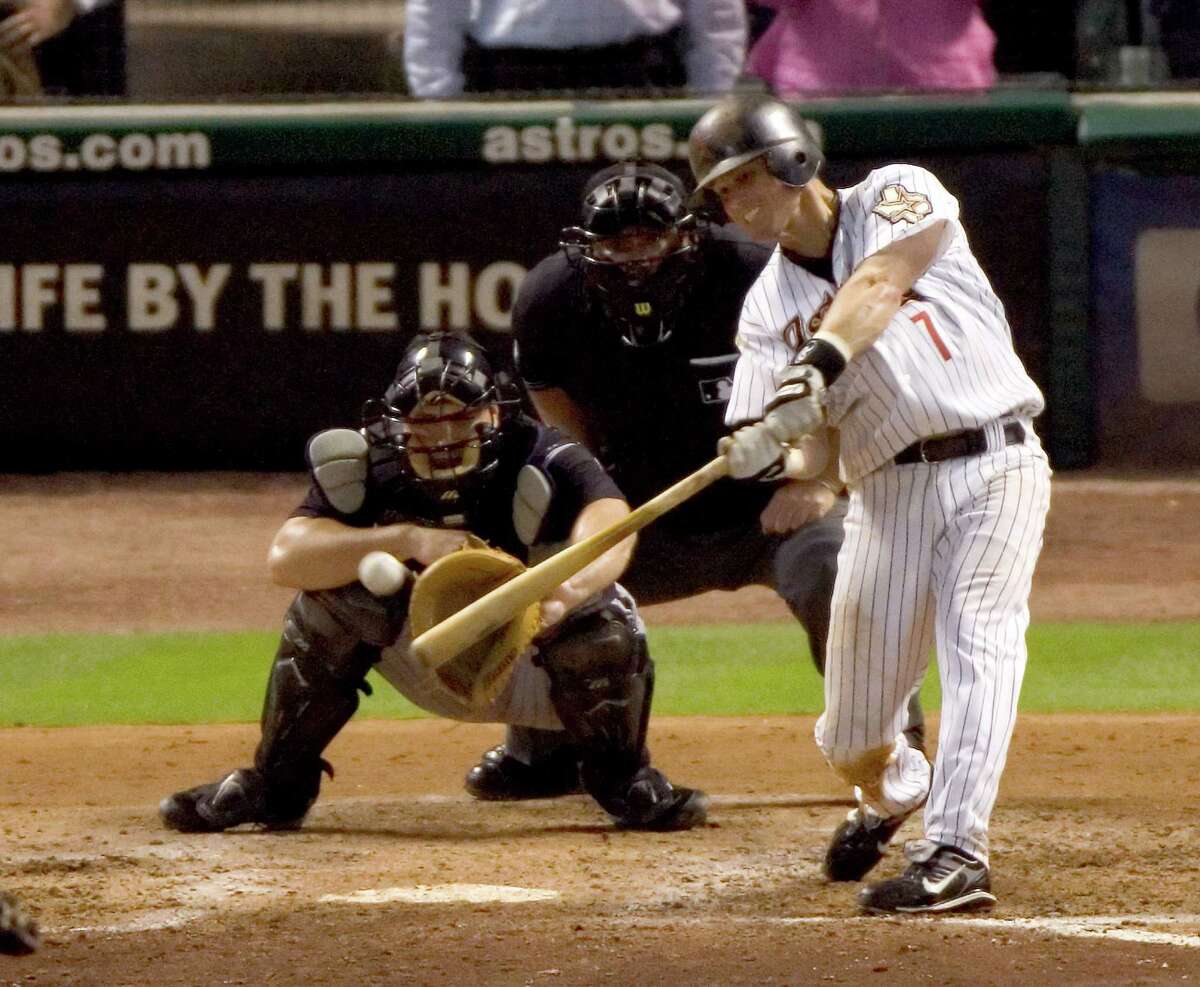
<point x="493" y="611"/>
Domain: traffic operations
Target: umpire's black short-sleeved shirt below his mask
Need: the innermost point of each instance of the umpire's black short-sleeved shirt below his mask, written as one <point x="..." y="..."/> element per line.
<point x="658" y="411"/>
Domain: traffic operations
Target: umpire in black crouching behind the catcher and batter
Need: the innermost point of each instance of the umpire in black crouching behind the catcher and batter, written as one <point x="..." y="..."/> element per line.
<point x="626" y="339"/>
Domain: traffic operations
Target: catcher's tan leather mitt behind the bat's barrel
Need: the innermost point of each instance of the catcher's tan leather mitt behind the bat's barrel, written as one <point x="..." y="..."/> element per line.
<point x="479" y="673"/>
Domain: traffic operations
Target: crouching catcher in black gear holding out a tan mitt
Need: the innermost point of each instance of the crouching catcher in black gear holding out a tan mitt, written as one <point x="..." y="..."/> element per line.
<point x="443" y="460"/>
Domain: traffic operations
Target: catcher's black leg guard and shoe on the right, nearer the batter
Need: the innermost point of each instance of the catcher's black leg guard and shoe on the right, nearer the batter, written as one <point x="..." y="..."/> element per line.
<point x="602" y="685"/>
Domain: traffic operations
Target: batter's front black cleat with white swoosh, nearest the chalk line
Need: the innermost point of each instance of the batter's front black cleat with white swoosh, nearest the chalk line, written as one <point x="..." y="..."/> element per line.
<point x="938" y="880"/>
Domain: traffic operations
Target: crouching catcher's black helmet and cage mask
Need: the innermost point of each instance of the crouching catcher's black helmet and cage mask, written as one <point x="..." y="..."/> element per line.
<point x="446" y="414"/>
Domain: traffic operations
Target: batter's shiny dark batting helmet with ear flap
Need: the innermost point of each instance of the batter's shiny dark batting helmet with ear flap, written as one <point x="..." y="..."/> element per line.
<point x="741" y="129"/>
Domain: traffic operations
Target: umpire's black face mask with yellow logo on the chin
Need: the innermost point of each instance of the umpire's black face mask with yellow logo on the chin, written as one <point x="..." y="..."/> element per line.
<point x="637" y="248"/>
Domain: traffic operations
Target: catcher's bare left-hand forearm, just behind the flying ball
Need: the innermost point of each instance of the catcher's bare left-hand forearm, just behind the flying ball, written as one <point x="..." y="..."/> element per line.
<point x="322" y="554"/>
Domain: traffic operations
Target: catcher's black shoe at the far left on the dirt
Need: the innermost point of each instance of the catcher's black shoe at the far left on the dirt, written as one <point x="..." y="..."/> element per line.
<point x="242" y="797"/>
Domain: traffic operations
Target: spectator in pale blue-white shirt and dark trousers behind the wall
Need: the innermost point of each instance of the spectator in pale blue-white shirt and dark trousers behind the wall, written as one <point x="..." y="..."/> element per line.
<point x="452" y="47"/>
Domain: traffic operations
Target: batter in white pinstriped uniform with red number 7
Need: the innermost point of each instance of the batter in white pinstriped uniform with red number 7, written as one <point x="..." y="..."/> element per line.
<point x="874" y="319"/>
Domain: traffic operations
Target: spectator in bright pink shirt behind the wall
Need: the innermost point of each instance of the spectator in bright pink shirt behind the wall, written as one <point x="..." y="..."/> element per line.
<point x="842" y="46"/>
